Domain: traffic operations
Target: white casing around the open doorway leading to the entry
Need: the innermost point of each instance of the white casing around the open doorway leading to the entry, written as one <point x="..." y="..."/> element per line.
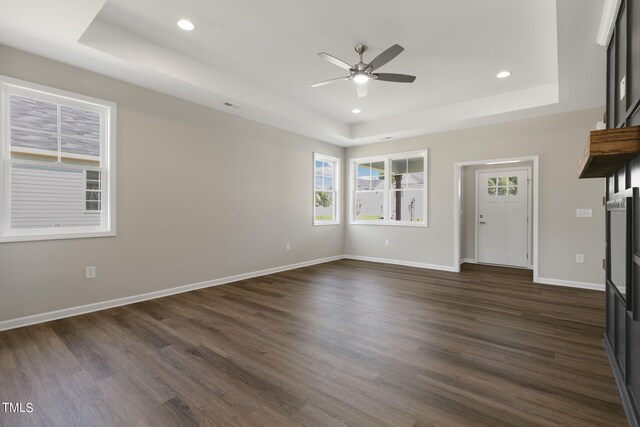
<point x="457" y="203"/>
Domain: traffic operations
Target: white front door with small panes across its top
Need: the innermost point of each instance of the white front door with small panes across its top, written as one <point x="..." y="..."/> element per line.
<point x="502" y="217"/>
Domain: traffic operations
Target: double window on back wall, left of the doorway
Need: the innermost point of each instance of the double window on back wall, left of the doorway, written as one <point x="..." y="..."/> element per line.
<point x="389" y="189"/>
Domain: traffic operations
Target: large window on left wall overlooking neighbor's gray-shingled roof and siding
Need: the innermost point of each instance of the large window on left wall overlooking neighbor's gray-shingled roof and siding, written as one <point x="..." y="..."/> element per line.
<point x="57" y="171"/>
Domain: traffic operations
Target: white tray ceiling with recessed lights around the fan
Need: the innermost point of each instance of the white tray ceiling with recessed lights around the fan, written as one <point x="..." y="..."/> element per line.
<point x="261" y="56"/>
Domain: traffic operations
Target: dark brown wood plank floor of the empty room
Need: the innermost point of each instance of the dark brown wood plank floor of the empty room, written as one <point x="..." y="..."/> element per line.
<point x="343" y="343"/>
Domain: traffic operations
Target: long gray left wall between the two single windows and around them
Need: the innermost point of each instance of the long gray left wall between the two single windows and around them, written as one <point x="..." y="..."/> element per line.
<point x="201" y="195"/>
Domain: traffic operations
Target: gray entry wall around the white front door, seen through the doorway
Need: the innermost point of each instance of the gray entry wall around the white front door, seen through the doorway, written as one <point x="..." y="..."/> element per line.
<point x="468" y="205"/>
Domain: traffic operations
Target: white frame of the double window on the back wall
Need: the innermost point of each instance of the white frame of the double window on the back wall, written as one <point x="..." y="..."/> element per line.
<point x="387" y="159"/>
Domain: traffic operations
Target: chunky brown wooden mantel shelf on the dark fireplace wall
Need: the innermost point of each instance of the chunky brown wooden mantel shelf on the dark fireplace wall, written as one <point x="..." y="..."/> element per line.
<point x="608" y="150"/>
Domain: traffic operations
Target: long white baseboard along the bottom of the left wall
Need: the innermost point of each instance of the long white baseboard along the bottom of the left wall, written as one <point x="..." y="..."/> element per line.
<point x="89" y="308"/>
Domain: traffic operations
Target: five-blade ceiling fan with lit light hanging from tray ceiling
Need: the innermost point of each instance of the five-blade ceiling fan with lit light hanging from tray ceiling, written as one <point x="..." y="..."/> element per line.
<point x="361" y="72"/>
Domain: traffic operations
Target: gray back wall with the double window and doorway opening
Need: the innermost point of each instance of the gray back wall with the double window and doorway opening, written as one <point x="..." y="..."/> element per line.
<point x="558" y="140"/>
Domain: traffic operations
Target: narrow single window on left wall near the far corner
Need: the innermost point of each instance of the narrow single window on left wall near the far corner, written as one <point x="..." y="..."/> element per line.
<point x="326" y="178"/>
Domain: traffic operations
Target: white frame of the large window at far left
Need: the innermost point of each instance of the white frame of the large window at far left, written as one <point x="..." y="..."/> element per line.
<point x="108" y="112"/>
